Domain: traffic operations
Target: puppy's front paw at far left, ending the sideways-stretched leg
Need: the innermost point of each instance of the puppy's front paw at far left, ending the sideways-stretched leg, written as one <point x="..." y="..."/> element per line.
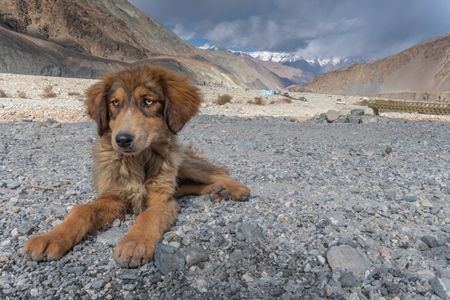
<point x="45" y="247"/>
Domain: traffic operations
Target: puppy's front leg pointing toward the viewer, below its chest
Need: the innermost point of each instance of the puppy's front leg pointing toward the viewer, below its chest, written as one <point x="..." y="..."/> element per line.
<point x="138" y="246"/>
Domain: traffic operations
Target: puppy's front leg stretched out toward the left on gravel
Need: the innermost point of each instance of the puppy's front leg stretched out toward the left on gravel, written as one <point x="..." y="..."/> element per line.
<point x="81" y="220"/>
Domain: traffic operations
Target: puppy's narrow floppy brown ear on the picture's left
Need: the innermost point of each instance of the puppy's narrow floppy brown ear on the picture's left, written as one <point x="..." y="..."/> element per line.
<point x="97" y="107"/>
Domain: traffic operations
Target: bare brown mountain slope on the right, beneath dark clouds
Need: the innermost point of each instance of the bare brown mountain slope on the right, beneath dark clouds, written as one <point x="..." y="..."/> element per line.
<point x="417" y="72"/>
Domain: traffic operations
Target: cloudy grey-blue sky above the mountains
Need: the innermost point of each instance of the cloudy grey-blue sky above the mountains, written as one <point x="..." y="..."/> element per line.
<point x="310" y="28"/>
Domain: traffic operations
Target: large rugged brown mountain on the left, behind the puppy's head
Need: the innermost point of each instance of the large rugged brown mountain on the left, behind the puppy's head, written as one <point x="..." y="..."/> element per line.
<point x="86" y="37"/>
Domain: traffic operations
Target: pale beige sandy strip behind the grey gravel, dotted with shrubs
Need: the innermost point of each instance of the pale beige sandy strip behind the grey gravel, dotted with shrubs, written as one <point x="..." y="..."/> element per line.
<point x="24" y="97"/>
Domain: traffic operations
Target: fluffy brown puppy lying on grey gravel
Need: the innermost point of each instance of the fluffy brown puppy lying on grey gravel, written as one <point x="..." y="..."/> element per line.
<point x="139" y="165"/>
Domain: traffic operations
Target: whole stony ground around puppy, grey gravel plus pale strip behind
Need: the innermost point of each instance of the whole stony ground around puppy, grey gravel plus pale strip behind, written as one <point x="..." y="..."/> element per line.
<point x="338" y="210"/>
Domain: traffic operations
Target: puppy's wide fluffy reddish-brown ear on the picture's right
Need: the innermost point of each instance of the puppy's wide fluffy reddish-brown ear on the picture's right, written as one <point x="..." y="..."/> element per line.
<point x="182" y="100"/>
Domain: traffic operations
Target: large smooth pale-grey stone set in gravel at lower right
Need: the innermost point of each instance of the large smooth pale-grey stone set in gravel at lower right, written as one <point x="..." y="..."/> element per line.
<point x="346" y="257"/>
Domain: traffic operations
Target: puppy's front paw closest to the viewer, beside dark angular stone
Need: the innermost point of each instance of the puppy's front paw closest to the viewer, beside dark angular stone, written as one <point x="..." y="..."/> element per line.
<point x="133" y="252"/>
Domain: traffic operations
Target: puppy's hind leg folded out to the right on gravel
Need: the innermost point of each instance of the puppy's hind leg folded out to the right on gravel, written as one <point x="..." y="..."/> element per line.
<point x="205" y="178"/>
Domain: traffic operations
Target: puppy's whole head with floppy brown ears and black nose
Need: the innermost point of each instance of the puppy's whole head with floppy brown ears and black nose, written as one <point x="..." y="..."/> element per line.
<point x="139" y="103"/>
